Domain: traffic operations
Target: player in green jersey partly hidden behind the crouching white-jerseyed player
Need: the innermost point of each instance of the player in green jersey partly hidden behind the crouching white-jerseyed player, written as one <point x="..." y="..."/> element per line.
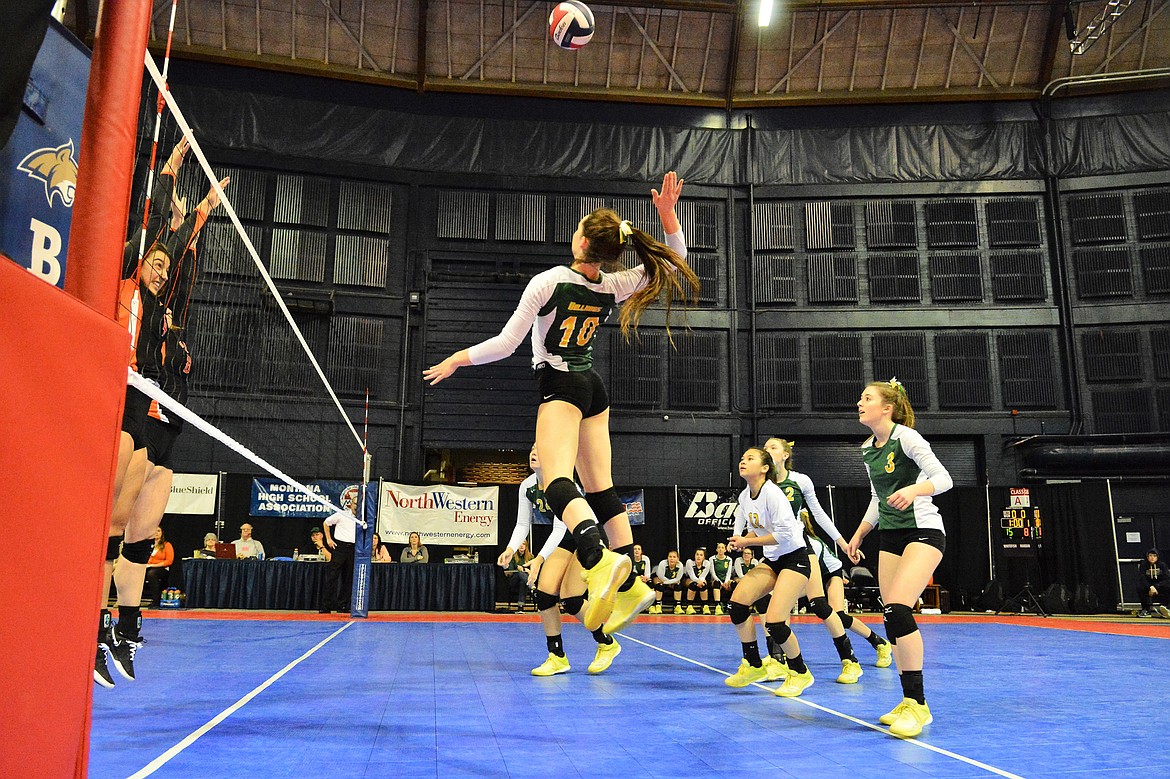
<point x="802" y="495"/>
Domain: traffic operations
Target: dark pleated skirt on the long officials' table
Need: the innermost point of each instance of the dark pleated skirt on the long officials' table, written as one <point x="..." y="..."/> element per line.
<point x="288" y="585"/>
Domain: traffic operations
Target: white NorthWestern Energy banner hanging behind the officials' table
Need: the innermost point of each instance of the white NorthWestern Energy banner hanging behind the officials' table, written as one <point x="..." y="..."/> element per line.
<point x="442" y="514"/>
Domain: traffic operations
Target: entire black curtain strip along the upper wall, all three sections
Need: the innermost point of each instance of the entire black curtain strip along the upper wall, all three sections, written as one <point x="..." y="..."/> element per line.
<point x="905" y="151"/>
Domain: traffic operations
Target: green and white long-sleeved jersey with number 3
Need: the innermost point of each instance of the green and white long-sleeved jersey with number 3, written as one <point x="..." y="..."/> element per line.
<point x="906" y="459"/>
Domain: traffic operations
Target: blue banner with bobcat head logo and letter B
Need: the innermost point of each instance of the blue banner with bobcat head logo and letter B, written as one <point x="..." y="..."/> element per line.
<point x="39" y="166"/>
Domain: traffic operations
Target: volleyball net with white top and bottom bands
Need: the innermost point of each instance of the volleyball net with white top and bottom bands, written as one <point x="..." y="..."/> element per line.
<point x="256" y="383"/>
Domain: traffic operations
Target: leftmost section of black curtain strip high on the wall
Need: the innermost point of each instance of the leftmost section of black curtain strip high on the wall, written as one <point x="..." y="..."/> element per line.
<point x="439" y="144"/>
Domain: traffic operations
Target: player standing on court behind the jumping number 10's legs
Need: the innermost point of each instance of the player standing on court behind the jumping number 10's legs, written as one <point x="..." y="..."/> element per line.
<point x="556" y="575"/>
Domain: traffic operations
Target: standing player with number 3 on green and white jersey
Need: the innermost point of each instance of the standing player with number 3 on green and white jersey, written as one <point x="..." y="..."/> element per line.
<point x="904" y="475"/>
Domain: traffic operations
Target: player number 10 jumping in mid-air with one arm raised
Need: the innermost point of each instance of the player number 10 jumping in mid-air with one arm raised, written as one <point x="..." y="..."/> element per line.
<point x="563" y="309"/>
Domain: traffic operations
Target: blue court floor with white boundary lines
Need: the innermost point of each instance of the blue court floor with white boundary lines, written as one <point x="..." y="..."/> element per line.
<point x="456" y="699"/>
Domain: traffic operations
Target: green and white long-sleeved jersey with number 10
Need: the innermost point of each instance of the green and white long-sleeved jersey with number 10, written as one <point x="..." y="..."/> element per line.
<point x="563" y="311"/>
